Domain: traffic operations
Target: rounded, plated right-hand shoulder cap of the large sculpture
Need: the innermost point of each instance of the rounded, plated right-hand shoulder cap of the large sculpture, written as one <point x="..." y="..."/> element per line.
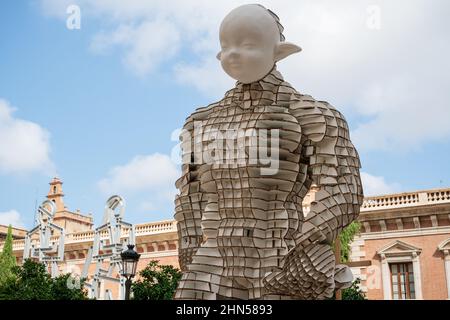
<point x="318" y="119"/>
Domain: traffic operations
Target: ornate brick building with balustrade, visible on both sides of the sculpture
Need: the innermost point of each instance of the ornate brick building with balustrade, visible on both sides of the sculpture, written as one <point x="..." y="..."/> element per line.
<point x="402" y="251"/>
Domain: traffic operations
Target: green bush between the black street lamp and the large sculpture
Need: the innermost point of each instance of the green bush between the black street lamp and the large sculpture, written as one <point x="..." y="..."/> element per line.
<point x="157" y="282"/>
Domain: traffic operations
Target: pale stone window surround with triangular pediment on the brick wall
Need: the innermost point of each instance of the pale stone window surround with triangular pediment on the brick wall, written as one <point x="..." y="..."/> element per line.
<point x="399" y="251"/>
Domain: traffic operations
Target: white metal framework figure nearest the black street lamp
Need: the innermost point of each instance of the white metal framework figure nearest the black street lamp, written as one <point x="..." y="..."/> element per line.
<point x="107" y="247"/>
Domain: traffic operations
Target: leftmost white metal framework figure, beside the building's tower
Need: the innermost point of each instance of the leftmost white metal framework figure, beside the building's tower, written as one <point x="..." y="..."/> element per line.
<point x="48" y="251"/>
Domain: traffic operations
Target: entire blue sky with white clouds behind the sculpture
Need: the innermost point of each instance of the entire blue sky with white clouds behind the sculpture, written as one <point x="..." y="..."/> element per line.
<point x="94" y="92"/>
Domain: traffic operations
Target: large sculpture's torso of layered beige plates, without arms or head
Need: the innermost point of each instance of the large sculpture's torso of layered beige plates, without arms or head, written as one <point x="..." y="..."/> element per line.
<point x="251" y="217"/>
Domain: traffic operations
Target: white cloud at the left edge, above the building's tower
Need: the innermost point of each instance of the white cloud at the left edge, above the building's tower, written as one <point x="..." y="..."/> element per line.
<point x="24" y="145"/>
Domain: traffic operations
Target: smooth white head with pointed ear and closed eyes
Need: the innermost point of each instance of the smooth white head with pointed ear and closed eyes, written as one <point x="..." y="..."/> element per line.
<point x="251" y="43"/>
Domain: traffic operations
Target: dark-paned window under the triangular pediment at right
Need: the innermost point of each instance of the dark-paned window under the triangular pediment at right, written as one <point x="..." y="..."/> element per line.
<point x="402" y="281"/>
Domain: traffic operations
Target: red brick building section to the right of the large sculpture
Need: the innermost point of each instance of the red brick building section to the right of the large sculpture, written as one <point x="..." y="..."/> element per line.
<point x="407" y="239"/>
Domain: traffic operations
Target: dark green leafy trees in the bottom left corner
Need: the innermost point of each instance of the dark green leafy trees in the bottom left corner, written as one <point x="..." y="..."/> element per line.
<point x="31" y="281"/>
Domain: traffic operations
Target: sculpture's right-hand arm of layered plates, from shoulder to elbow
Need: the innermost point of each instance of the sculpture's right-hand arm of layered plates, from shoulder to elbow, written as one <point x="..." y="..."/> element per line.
<point x="334" y="167"/>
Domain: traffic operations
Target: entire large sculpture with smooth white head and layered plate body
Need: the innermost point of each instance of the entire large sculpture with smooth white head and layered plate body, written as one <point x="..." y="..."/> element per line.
<point x="248" y="162"/>
